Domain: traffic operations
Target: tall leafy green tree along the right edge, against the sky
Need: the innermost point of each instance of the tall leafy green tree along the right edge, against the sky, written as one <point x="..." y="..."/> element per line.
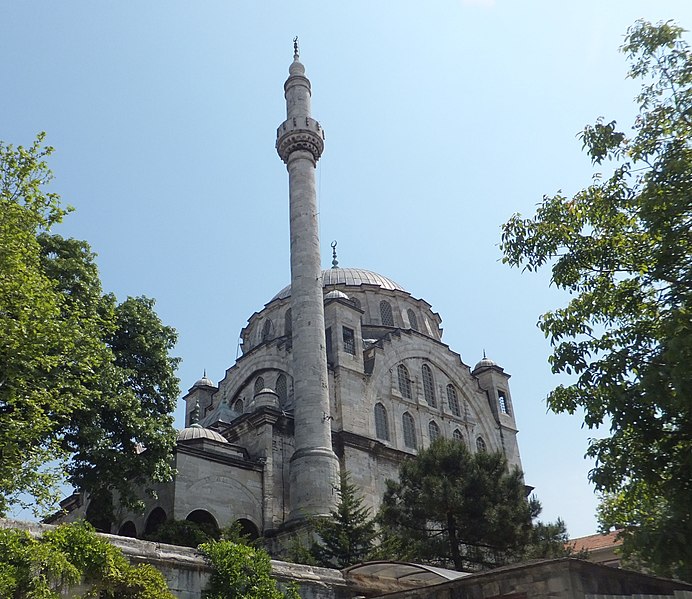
<point x="623" y="248"/>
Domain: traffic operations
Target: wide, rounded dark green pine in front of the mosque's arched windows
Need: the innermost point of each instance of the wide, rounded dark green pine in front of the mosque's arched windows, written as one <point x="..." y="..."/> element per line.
<point x="454" y="508"/>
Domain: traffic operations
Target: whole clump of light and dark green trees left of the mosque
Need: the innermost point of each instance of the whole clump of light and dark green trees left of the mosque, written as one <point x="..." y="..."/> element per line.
<point x="85" y="383"/>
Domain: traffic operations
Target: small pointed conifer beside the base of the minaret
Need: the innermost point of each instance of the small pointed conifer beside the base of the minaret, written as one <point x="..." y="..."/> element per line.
<point x="348" y="535"/>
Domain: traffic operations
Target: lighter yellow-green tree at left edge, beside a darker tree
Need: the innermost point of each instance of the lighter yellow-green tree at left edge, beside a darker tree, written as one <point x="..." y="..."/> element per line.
<point x="47" y="362"/>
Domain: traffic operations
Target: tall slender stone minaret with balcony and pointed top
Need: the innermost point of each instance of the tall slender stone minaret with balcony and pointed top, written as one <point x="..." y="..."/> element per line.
<point x="314" y="466"/>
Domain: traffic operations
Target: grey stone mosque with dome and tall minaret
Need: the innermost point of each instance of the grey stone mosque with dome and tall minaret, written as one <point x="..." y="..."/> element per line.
<point x="342" y="369"/>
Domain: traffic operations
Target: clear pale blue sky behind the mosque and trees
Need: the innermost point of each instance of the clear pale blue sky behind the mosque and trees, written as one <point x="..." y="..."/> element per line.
<point x="442" y="119"/>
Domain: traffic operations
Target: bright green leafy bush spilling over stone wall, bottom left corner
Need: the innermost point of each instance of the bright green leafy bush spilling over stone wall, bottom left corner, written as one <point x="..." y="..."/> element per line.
<point x="72" y="554"/>
